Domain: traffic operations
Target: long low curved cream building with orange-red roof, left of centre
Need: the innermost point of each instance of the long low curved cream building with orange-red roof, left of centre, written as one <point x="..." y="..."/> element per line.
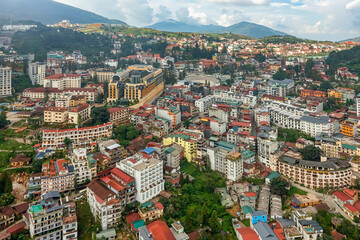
<point x="80" y="137"/>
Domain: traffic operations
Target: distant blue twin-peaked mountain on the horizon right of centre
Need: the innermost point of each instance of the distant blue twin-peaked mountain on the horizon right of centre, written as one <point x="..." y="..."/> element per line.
<point x="241" y="28"/>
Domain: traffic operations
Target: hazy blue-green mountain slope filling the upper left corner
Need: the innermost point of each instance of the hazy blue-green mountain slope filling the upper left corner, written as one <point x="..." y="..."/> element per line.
<point x="49" y="12"/>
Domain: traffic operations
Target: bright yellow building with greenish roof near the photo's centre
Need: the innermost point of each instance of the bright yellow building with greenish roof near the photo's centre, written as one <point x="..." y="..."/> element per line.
<point x="189" y="145"/>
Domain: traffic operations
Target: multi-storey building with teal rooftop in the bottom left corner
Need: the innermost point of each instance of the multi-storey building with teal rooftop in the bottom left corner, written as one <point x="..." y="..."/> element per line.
<point x="49" y="218"/>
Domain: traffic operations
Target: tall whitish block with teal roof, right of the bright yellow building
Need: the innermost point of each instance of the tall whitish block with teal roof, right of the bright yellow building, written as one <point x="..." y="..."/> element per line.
<point x="225" y="159"/>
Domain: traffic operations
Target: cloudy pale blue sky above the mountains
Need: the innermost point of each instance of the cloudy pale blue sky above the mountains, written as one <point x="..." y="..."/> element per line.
<point x="332" y="20"/>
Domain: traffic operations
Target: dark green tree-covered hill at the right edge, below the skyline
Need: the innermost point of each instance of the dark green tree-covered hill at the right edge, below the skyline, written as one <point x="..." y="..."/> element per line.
<point x="347" y="58"/>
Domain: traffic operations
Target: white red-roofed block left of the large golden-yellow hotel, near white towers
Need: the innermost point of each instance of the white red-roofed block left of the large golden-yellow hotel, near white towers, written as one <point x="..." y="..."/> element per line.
<point x="63" y="81"/>
